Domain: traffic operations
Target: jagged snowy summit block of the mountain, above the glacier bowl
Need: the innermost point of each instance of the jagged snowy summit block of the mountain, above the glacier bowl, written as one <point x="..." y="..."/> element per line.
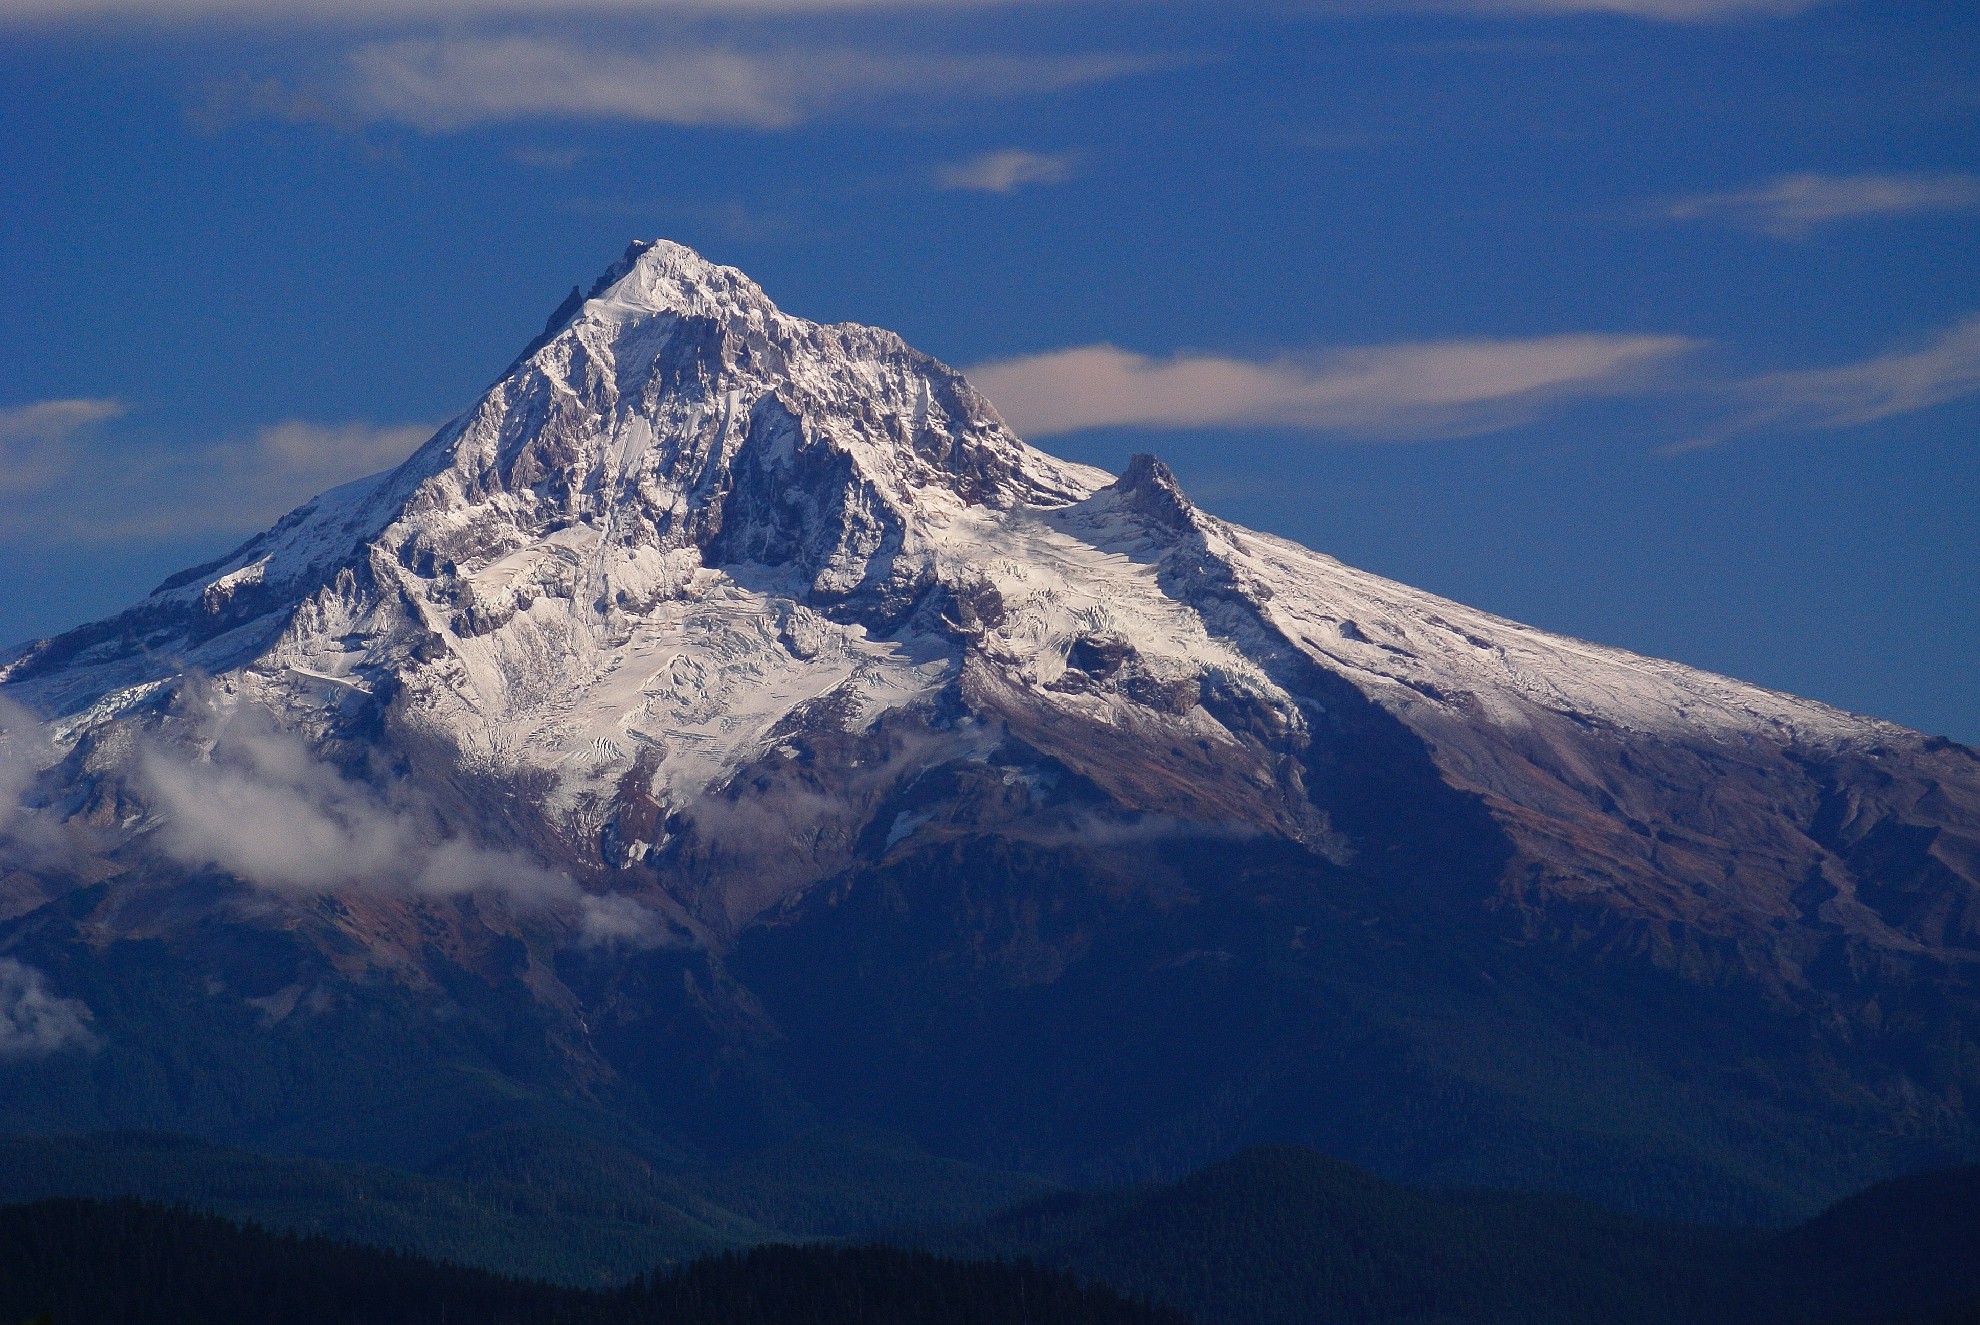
<point x="680" y="391"/>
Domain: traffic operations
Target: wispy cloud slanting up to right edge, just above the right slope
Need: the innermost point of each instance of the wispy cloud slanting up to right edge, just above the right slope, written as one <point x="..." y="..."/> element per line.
<point x="1941" y="371"/>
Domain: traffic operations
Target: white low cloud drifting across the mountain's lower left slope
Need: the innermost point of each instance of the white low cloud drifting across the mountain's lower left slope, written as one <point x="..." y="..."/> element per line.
<point x="256" y="803"/>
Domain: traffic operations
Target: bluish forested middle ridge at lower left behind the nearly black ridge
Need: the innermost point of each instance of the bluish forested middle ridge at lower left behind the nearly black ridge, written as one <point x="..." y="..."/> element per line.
<point x="534" y="1201"/>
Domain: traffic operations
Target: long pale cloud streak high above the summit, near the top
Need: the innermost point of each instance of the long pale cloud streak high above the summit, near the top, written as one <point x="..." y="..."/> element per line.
<point x="454" y="82"/>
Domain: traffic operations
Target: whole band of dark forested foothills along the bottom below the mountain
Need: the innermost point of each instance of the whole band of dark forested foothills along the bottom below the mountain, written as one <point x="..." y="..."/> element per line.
<point x="1272" y="1237"/>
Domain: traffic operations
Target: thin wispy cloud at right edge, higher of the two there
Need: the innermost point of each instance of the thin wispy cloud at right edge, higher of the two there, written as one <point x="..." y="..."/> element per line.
<point x="1795" y="205"/>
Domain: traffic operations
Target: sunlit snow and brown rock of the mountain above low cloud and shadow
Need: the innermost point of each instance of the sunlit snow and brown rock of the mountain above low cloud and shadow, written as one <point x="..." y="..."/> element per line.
<point x="696" y="556"/>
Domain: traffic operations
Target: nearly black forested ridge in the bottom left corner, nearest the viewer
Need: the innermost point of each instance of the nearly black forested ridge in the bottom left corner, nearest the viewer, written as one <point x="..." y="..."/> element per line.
<point x="86" y="1263"/>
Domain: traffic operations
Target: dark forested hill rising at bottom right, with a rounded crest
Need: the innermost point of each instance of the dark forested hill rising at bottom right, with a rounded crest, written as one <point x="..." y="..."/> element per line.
<point x="1288" y="1237"/>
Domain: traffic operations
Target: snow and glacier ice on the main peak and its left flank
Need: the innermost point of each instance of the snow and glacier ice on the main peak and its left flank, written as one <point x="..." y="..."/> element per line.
<point x="542" y="577"/>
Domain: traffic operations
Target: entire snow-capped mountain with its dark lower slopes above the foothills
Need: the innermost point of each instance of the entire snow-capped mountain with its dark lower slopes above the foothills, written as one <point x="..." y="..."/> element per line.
<point x="734" y="710"/>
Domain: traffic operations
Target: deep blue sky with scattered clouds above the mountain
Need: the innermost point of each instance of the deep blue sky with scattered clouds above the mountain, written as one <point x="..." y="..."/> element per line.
<point x="1650" y="322"/>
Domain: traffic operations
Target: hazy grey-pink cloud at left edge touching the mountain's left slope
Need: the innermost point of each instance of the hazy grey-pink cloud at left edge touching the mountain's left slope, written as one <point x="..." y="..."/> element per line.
<point x="144" y="488"/>
